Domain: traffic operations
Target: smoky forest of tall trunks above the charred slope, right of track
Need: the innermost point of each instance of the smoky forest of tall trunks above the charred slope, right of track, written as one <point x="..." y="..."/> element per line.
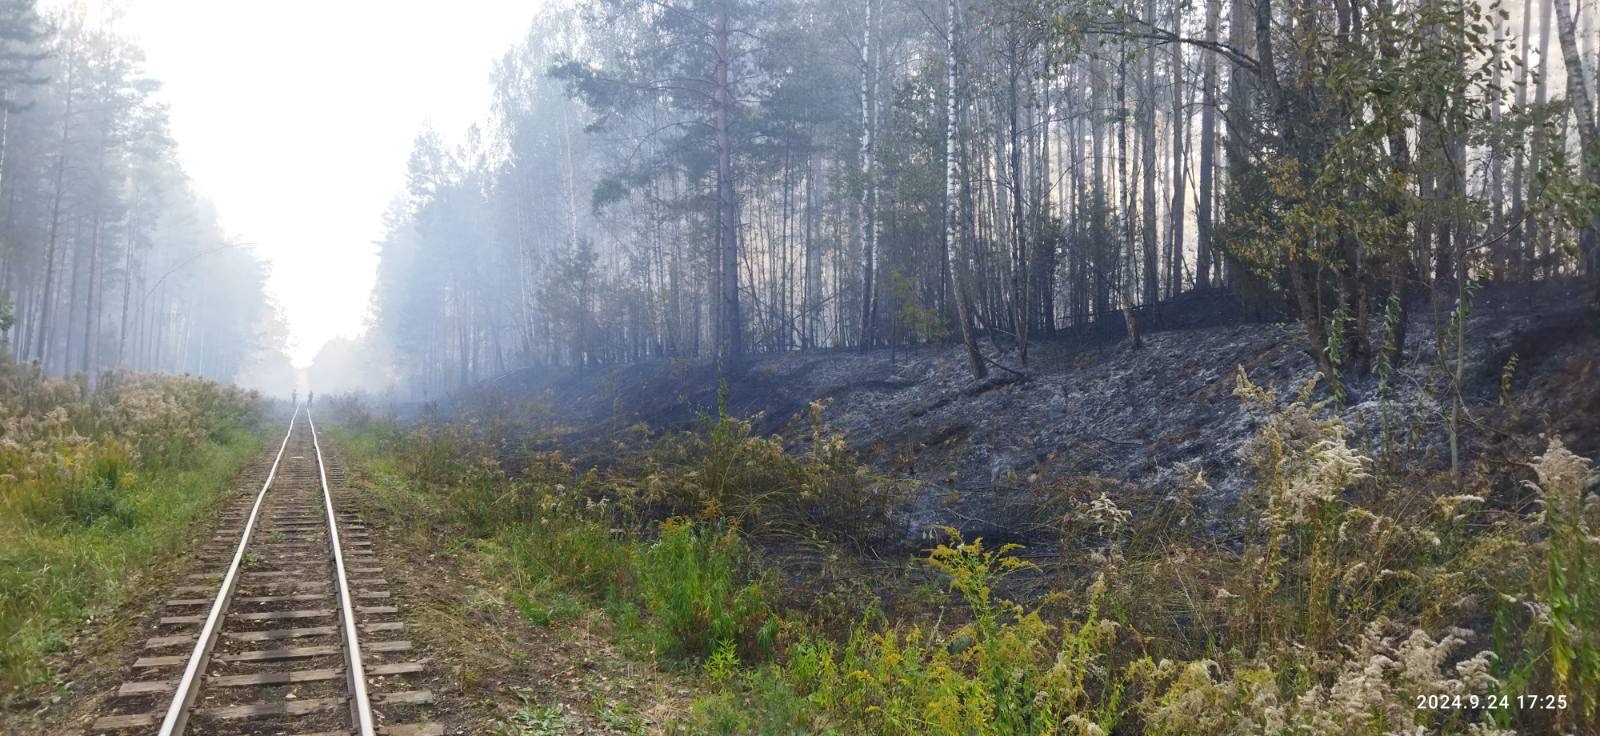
<point x="727" y="178"/>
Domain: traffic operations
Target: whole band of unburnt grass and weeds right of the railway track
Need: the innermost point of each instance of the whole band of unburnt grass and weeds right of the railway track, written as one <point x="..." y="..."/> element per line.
<point x="1348" y="598"/>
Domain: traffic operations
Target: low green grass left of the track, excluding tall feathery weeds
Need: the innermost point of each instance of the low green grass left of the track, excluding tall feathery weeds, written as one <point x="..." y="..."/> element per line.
<point x="58" y="574"/>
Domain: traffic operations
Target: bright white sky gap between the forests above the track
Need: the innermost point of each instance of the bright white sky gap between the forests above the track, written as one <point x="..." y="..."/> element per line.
<point x="297" y="119"/>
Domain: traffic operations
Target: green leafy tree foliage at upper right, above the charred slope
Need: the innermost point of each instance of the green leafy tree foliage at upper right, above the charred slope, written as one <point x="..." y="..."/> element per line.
<point x="1335" y="194"/>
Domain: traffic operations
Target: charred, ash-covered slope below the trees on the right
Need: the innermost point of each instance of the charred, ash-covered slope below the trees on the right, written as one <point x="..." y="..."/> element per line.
<point x="993" y="457"/>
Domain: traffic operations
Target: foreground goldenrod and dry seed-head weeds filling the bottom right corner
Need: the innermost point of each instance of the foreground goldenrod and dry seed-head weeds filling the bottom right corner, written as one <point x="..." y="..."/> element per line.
<point x="1340" y="610"/>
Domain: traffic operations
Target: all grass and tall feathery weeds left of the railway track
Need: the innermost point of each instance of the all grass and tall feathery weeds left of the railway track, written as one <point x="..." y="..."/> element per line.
<point x="95" y="489"/>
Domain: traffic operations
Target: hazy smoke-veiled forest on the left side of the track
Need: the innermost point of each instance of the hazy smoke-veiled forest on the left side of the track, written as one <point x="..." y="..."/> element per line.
<point x="110" y="258"/>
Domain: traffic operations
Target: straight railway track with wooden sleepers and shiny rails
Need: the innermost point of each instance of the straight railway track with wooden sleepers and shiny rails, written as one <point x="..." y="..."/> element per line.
<point x="298" y="634"/>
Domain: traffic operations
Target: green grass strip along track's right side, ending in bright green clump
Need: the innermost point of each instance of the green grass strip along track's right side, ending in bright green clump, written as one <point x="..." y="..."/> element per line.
<point x="554" y="553"/>
